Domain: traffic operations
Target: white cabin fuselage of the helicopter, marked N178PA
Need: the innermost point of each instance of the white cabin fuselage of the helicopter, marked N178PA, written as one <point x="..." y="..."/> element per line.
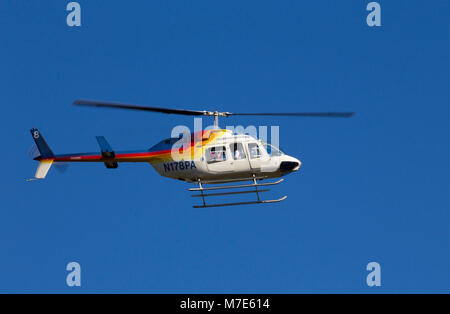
<point x="230" y="157"/>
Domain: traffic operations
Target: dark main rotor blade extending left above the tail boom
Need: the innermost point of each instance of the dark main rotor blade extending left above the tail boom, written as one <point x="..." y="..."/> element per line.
<point x="93" y="103"/>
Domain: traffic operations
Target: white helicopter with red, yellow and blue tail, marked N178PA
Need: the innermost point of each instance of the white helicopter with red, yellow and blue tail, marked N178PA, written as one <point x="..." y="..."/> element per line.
<point x="217" y="157"/>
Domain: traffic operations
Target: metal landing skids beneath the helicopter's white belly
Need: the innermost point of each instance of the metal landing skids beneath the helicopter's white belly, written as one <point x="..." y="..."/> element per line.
<point x="254" y="185"/>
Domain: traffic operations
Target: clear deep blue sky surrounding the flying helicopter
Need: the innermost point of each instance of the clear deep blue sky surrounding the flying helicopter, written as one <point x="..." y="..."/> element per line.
<point x="373" y="188"/>
